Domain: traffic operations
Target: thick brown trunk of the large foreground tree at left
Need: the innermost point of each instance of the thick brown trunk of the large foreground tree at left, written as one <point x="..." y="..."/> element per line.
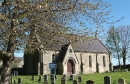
<point x="7" y="60"/>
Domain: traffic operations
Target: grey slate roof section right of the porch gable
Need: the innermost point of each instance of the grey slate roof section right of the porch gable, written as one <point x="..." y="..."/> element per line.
<point x="90" y="45"/>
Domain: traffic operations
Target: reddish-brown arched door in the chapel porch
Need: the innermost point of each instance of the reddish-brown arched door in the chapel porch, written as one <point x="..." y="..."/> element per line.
<point x="70" y="67"/>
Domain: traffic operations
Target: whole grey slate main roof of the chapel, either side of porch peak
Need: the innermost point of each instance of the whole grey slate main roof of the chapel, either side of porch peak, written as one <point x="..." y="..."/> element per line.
<point x="84" y="44"/>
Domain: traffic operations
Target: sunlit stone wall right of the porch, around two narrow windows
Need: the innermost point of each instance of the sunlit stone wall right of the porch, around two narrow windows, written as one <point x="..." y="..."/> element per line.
<point x="84" y="56"/>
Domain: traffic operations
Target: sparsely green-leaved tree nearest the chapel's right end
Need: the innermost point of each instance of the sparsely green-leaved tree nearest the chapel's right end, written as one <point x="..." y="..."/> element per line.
<point x="113" y="43"/>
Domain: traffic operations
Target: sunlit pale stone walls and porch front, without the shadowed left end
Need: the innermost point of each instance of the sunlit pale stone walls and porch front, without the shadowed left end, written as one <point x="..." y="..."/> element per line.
<point x="80" y="58"/>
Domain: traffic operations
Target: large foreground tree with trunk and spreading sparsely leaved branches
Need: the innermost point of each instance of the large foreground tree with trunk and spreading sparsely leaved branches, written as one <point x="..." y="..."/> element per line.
<point x="35" y="23"/>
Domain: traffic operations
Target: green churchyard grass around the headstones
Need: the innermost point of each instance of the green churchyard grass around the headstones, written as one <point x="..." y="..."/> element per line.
<point x="98" y="78"/>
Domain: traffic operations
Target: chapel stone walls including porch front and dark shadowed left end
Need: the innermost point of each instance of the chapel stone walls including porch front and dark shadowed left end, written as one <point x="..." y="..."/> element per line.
<point x="39" y="64"/>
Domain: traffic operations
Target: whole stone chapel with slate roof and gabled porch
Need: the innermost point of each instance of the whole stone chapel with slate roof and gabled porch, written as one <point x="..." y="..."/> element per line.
<point x="88" y="56"/>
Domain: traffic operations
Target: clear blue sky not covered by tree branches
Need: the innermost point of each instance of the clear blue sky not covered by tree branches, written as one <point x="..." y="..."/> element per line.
<point x="120" y="8"/>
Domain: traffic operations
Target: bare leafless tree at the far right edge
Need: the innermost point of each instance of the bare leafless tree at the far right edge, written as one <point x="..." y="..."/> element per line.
<point x="124" y="32"/>
